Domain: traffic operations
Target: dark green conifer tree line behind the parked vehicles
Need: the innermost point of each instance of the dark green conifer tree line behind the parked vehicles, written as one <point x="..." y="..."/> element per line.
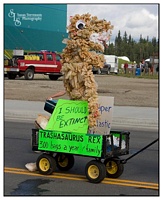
<point x="136" y="51"/>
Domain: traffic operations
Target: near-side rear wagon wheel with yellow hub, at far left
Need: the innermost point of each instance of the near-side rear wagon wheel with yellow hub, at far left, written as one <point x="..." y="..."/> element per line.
<point x="46" y="164"/>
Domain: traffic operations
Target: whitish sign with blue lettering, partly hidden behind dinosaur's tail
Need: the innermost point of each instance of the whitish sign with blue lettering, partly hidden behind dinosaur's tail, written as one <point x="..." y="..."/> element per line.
<point x="106" y="111"/>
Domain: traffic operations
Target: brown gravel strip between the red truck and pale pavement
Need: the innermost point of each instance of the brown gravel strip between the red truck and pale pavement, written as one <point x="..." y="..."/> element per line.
<point x="126" y="91"/>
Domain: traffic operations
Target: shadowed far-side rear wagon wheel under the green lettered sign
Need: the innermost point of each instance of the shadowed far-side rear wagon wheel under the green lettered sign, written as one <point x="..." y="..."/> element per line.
<point x="64" y="161"/>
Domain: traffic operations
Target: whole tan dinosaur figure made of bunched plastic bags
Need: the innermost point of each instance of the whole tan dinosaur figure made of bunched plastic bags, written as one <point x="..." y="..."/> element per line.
<point x="86" y="35"/>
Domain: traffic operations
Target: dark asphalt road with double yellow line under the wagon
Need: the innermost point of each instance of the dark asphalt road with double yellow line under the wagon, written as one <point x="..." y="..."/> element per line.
<point x="140" y="176"/>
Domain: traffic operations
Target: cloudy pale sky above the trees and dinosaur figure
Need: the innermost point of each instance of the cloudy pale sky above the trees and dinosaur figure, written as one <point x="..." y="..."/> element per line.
<point x="135" y="19"/>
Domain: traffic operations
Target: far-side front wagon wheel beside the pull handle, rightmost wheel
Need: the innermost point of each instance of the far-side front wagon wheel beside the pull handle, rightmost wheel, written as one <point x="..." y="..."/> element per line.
<point x="114" y="168"/>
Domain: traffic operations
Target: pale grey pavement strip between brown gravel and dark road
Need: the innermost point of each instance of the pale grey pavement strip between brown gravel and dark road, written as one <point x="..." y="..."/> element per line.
<point x="124" y="117"/>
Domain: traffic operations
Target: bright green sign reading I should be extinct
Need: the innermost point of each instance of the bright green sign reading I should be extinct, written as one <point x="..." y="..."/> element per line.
<point x="69" y="116"/>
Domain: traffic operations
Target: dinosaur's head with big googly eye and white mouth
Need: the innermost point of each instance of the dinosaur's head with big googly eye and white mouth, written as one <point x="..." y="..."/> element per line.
<point x="89" y="27"/>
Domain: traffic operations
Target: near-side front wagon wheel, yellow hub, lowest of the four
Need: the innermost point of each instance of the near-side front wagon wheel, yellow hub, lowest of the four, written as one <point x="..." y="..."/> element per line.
<point x="95" y="171"/>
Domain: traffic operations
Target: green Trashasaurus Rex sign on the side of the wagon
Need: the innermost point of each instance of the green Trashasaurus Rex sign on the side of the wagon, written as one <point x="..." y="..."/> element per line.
<point x="73" y="143"/>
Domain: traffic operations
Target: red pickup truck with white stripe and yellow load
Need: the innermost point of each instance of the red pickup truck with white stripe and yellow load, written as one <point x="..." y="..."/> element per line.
<point x="42" y="62"/>
